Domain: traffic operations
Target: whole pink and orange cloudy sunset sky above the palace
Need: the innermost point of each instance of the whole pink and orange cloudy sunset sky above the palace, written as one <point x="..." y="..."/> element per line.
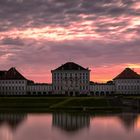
<point x="37" y="36"/>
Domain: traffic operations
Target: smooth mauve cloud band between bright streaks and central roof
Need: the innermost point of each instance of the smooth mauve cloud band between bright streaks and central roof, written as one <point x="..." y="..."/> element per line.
<point x="90" y="52"/>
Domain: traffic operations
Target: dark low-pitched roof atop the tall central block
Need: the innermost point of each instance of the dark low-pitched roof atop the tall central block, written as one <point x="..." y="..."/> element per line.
<point x="70" y="66"/>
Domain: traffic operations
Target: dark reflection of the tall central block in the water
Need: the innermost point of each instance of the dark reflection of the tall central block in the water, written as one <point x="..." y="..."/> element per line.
<point x="70" y="121"/>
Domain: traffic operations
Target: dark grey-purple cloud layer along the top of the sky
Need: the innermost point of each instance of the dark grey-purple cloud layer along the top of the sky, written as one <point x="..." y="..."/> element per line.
<point x="36" y="13"/>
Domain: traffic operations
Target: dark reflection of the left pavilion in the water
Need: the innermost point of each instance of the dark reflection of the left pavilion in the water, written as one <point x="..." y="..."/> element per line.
<point x="12" y="120"/>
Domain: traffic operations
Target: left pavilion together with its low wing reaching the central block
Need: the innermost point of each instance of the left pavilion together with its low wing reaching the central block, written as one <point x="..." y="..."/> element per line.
<point x="14" y="83"/>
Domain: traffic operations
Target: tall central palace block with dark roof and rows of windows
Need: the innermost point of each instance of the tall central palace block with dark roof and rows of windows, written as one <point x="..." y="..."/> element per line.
<point x="70" y="79"/>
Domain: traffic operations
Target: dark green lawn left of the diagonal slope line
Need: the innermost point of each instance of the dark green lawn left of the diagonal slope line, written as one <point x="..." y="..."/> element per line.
<point x="29" y="101"/>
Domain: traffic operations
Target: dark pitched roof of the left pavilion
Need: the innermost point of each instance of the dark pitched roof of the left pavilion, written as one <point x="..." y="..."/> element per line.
<point x="11" y="74"/>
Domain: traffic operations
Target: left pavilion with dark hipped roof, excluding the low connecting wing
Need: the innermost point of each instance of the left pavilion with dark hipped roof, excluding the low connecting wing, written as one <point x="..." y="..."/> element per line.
<point x="12" y="83"/>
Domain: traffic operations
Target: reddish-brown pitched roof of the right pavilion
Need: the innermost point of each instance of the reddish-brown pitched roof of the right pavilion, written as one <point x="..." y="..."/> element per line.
<point x="128" y="74"/>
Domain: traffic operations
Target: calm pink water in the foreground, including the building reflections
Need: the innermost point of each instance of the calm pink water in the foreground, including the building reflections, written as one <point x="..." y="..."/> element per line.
<point x="69" y="126"/>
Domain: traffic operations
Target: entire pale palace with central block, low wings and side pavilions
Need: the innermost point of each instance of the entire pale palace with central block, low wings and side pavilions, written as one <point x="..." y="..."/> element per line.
<point x="69" y="79"/>
